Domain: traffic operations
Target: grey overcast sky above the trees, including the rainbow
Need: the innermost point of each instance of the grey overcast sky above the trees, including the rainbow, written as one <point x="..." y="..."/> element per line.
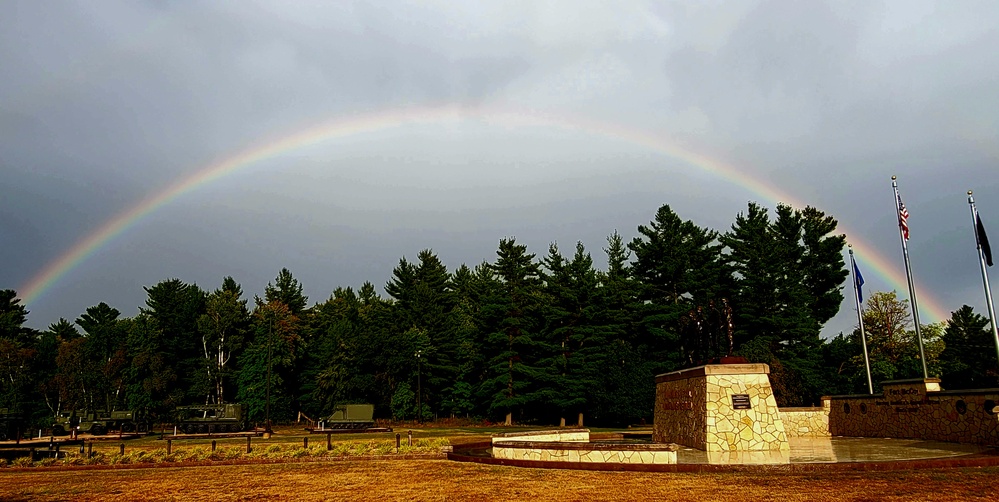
<point x="144" y="141"/>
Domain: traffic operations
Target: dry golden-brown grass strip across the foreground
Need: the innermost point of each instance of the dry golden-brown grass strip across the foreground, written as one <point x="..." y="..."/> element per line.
<point x="445" y="480"/>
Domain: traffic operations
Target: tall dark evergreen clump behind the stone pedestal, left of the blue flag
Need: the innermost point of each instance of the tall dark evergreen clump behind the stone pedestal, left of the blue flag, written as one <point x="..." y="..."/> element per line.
<point x="788" y="273"/>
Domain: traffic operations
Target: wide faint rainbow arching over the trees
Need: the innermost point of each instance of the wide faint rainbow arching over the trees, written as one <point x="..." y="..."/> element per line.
<point x="342" y="127"/>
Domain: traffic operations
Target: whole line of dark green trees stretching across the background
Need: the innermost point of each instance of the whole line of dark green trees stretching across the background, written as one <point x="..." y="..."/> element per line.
<point x="516" y="339"/>
